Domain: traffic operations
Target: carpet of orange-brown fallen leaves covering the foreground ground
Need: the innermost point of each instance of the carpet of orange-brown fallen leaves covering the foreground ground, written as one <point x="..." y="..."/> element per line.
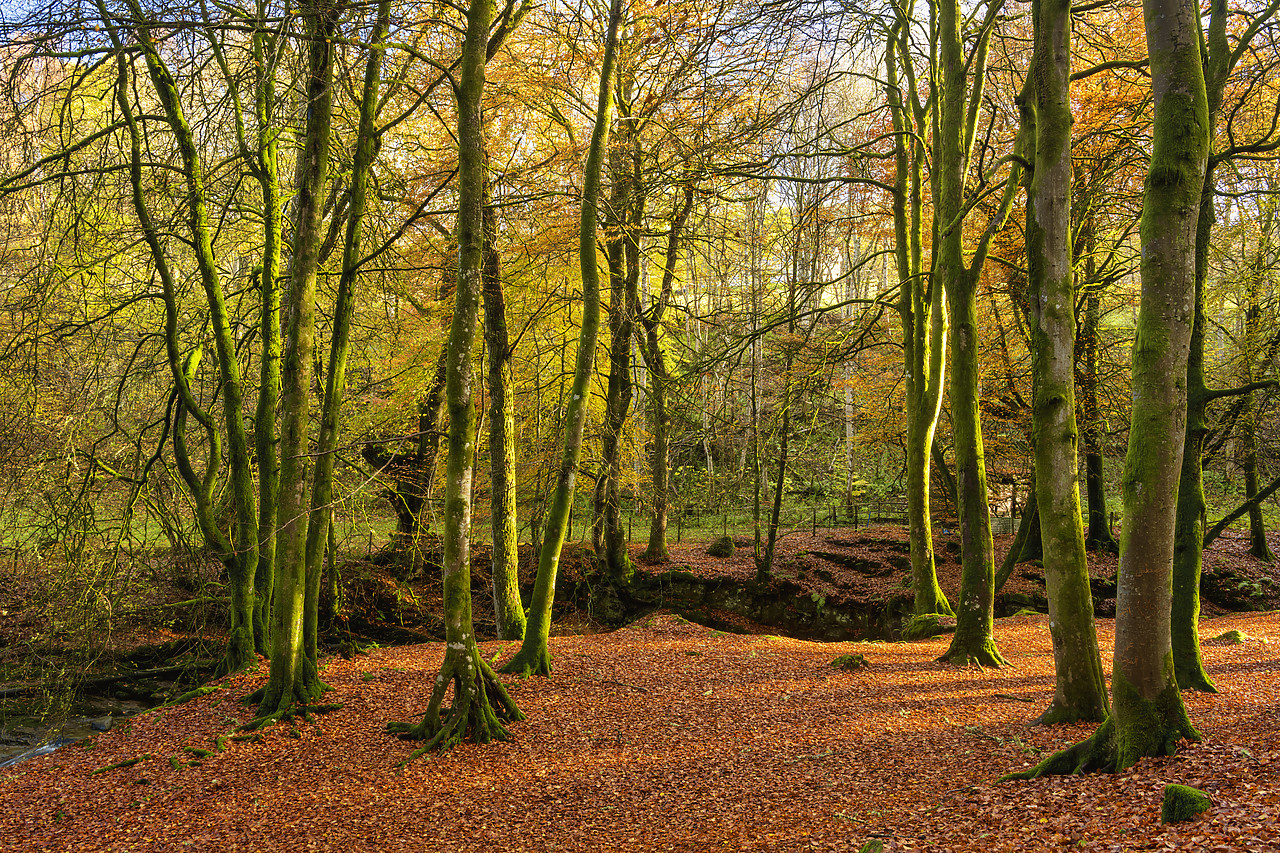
<point x="666" y="736"/>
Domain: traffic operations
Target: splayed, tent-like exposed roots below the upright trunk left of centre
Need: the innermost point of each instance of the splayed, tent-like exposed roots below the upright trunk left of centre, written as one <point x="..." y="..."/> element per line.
<point x="482" y="706"/>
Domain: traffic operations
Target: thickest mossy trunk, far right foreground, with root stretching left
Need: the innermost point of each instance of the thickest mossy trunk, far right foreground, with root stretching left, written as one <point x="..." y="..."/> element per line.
<point x="1148" y="713"/>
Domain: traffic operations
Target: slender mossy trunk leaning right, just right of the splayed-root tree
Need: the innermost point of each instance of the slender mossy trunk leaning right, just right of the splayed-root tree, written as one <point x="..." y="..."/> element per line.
<point x="533" y="658"/>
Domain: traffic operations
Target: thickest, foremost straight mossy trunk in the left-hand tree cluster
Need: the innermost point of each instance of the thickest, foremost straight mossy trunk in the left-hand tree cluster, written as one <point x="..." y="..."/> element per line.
<point x="295" y="678"/>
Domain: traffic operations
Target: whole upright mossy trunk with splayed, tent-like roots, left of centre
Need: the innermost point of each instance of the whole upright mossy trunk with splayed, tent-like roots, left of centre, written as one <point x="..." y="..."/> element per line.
<point x="481" y="704"/>
